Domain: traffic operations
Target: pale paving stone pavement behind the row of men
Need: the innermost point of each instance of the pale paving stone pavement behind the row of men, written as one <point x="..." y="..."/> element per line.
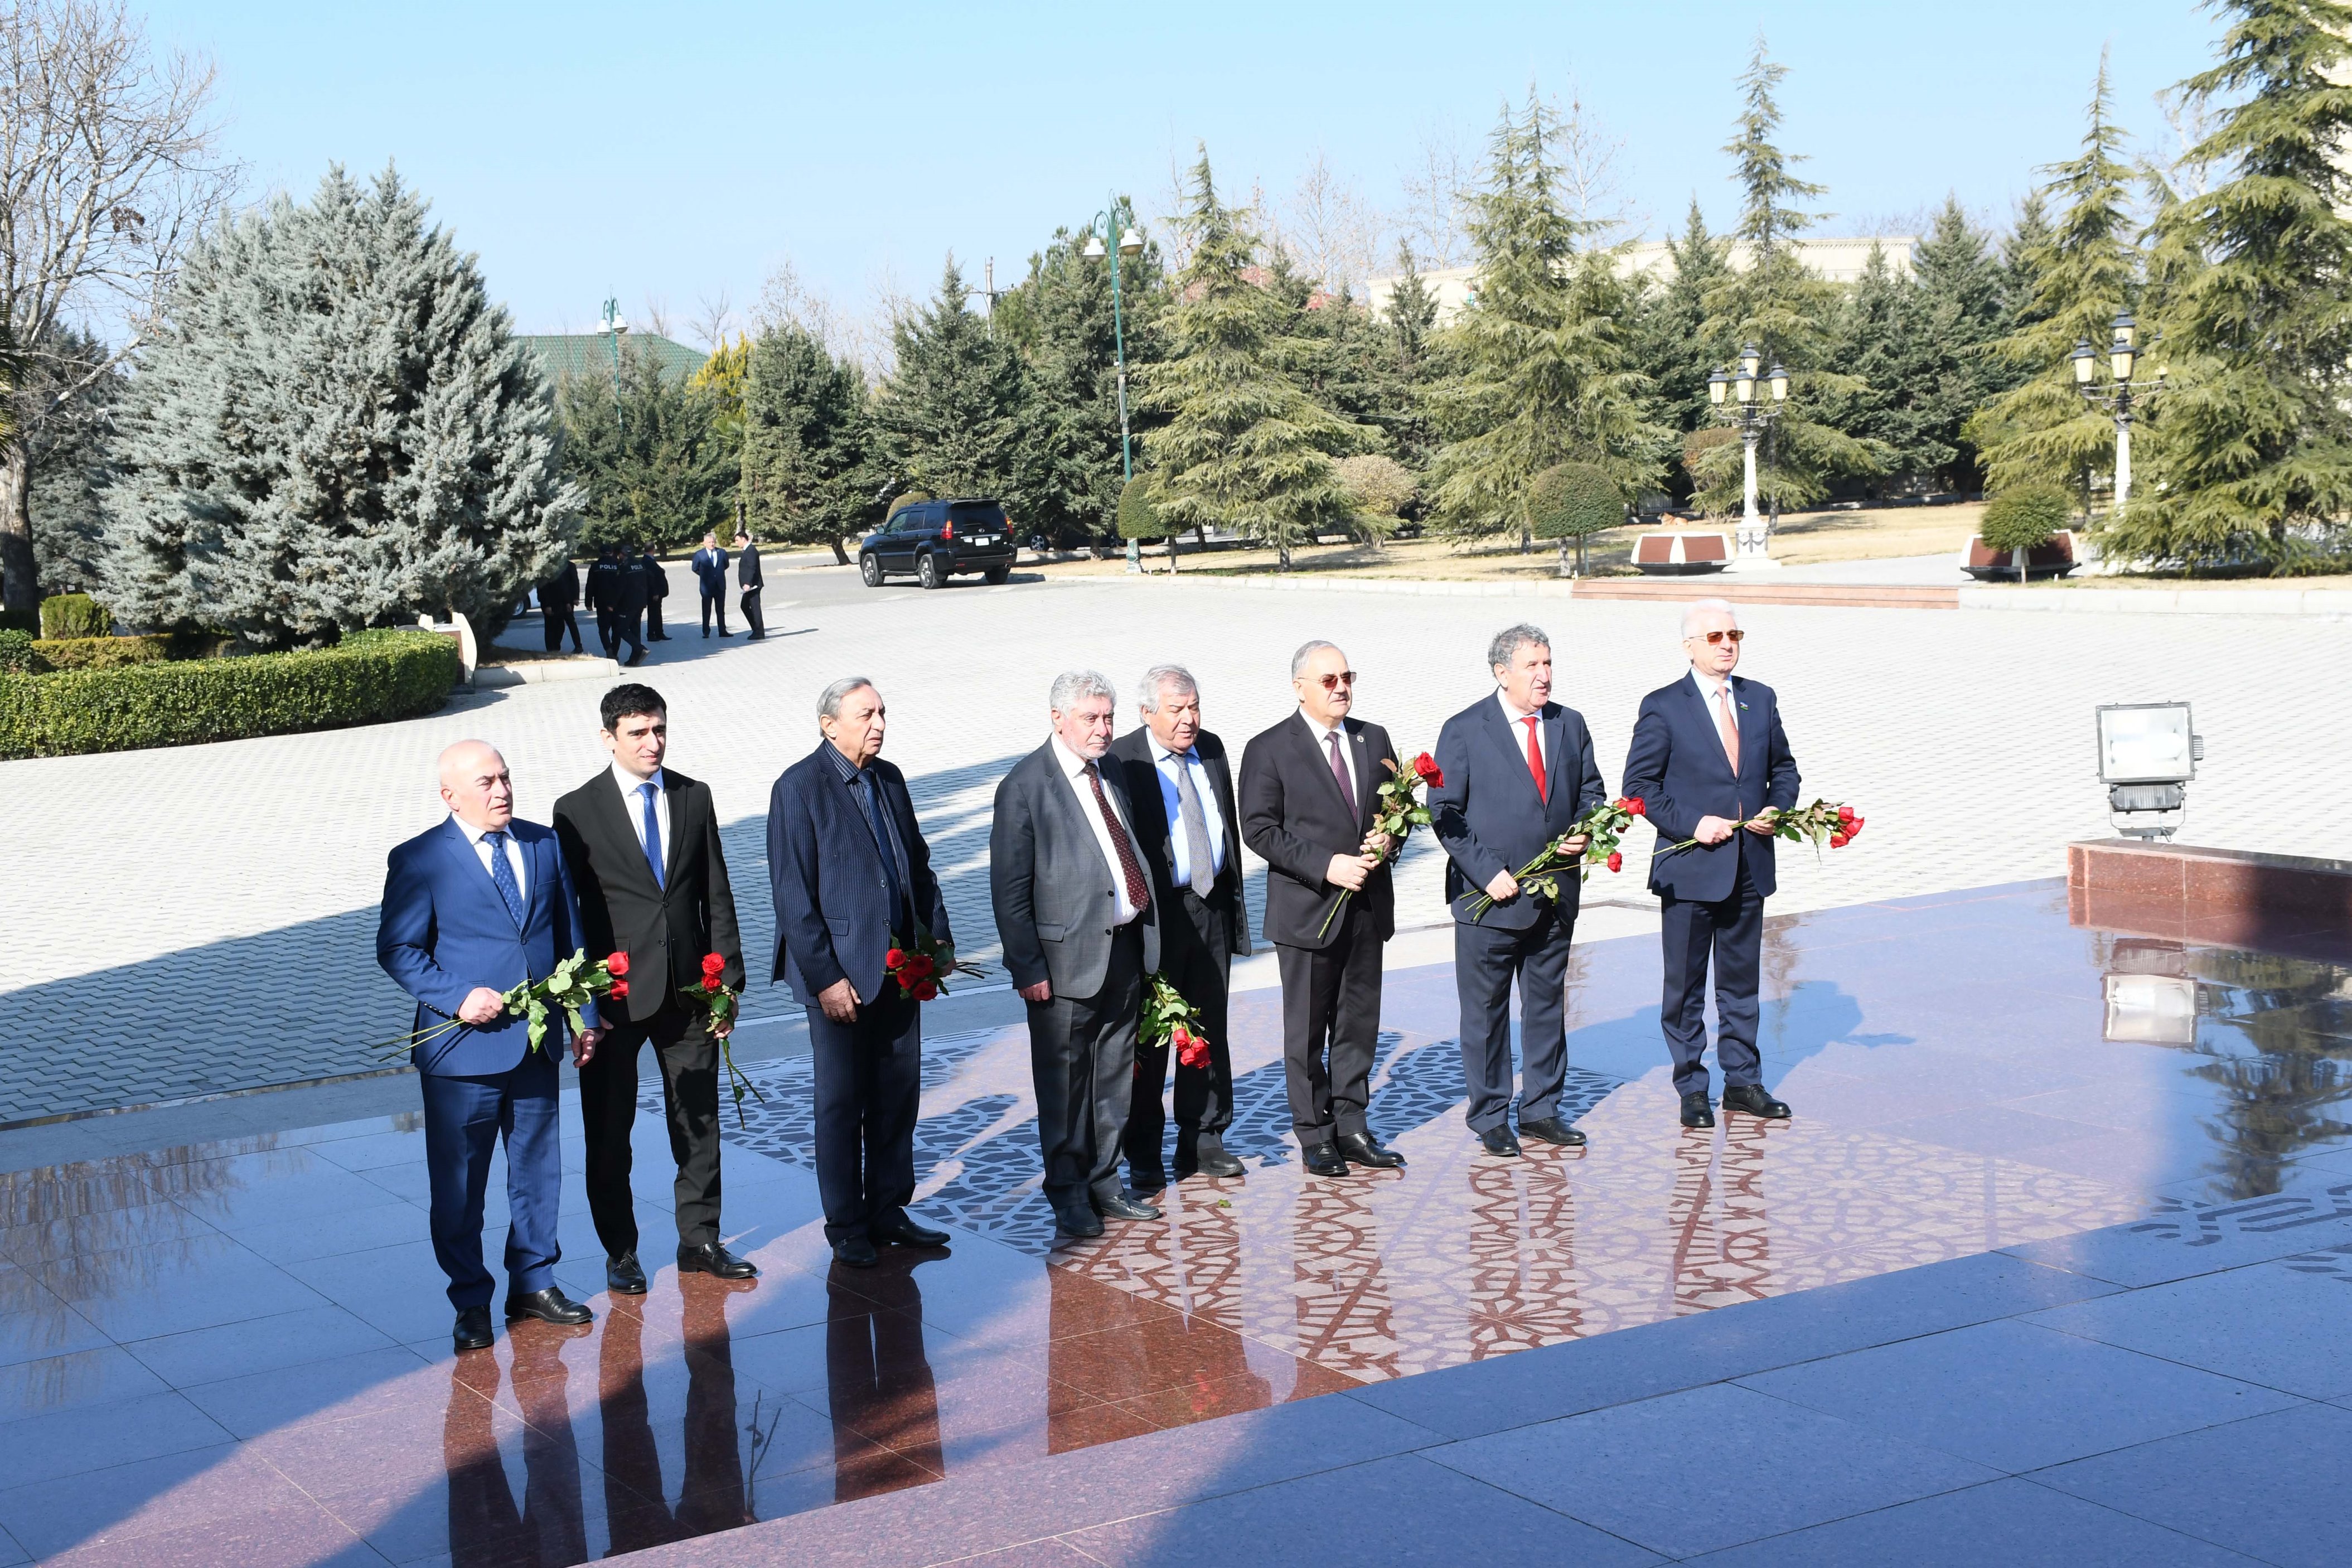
<point x="196" y="920"/>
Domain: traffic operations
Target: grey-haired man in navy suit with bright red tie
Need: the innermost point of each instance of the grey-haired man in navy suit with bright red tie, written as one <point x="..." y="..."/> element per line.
<point x="1518" y="775"/>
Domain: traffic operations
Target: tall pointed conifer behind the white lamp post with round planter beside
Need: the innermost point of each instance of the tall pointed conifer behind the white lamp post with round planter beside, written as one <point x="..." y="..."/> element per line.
<point x="1789" y="314"/>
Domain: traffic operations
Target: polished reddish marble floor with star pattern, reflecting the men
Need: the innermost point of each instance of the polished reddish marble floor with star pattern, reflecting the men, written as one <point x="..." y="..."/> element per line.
<point x="239" y="1351"/>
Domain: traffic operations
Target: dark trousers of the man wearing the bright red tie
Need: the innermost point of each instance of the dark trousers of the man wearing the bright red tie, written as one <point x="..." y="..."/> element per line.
<point x="1485" y="963"/>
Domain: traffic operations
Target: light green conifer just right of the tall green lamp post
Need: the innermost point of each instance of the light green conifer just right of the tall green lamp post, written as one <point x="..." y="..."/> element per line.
<point x="1245" y="445"/>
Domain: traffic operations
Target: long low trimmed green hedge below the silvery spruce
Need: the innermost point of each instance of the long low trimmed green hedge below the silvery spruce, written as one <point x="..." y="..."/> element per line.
<point x="363" y="681"/>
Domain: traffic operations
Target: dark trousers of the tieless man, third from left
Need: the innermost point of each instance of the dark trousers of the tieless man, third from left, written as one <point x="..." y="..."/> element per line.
<point x="869" y="1083"/>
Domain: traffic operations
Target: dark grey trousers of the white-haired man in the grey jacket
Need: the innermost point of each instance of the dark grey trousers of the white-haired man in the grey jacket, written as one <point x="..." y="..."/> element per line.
<point x="1083" y="1059"/>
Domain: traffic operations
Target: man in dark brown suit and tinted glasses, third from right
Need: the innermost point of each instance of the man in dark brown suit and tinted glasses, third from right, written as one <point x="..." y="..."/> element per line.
<point x="1309" y="796"/>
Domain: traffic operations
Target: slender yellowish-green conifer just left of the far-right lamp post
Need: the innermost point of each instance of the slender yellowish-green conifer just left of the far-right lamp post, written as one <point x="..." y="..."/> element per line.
<point x="2083" y="276"/>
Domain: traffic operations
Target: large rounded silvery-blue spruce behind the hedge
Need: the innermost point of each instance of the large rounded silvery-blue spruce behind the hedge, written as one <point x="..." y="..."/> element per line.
<point x="333" y="429"/>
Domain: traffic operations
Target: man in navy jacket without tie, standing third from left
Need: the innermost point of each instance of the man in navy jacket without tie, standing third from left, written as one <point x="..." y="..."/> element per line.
<point x="853" y="880"/>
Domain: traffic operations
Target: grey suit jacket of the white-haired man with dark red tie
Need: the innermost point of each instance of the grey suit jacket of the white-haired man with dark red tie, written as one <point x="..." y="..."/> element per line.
<point x="1050" y="883"/>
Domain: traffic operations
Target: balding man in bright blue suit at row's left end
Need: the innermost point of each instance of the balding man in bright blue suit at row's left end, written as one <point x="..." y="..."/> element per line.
<point x="474" y="909"/>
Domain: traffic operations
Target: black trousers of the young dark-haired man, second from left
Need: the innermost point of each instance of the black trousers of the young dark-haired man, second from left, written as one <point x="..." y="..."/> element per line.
<point x="690" y="1083"/>
